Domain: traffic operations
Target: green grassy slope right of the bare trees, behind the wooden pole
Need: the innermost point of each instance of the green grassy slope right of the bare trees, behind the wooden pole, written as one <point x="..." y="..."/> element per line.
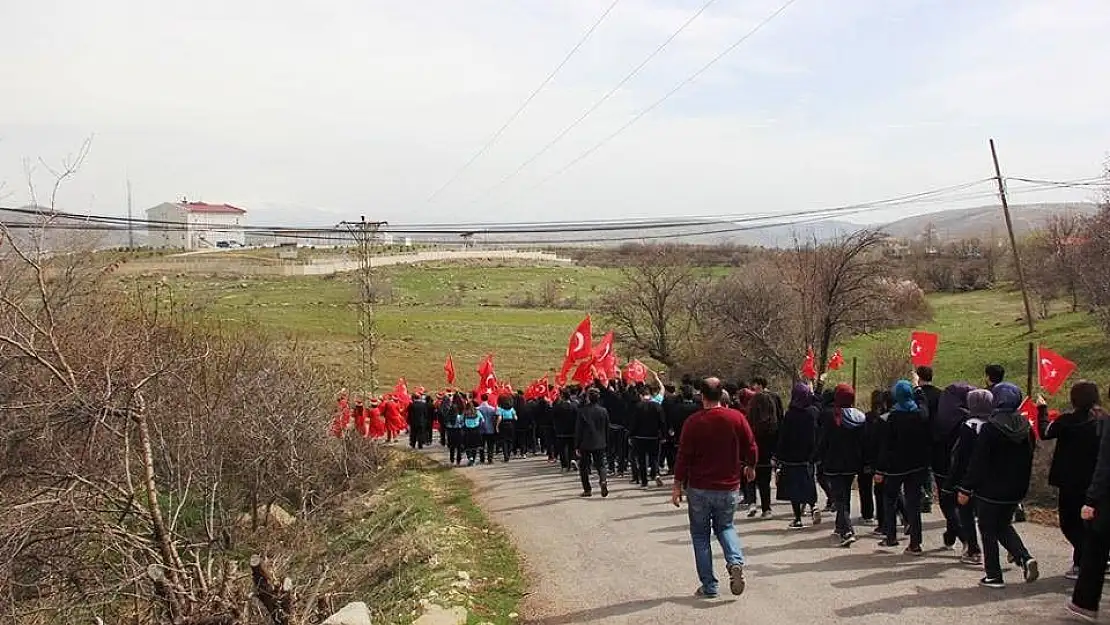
<point x="988" y="327"/>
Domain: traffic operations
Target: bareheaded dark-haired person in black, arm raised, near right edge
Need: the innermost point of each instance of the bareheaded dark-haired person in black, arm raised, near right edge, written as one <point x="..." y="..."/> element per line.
<point x="1077" y="450"/>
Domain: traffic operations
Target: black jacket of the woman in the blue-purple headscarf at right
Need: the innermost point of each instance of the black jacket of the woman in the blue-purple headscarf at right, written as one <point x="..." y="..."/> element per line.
<point x="1001" y="467"/>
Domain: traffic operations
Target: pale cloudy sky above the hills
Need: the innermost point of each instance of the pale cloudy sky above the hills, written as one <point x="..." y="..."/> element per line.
<point x="309" y="113"/>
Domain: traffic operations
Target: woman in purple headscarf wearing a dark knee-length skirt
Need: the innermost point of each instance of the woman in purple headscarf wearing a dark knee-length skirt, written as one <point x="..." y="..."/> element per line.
<point x="795" y="455"/>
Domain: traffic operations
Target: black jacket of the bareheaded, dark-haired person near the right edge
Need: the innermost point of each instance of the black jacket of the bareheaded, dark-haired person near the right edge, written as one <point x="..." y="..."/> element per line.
<point x="1077" y="449"/>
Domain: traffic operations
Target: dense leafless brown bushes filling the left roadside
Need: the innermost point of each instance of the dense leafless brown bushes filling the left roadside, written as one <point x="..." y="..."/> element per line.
<point x="133" y="437"/>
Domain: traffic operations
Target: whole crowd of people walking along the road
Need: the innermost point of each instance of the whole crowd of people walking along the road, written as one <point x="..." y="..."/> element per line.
<point x="970" y="448"/>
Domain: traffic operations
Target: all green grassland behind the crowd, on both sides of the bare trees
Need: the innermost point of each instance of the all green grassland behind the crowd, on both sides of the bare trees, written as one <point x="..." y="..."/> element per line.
<point x="466" y="311"/>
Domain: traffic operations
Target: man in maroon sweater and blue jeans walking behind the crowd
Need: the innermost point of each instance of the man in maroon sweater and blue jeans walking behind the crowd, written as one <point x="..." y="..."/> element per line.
<point x="715" y="449"/>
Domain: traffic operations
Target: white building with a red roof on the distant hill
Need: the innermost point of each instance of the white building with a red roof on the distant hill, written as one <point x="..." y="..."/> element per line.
<point x="196" y="226"/>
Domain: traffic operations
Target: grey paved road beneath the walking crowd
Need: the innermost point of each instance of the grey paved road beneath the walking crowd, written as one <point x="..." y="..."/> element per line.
<point x="628" y="560"/>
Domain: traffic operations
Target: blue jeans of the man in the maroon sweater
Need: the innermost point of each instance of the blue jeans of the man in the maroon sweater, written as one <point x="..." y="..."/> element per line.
<point x="712" y="512"/>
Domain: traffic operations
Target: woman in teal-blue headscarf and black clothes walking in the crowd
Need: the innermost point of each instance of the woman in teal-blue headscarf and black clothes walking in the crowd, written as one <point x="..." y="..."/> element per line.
<point x="904" y="465"/>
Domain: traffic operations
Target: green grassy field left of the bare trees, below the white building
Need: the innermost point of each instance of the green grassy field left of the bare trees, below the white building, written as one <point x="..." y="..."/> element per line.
<point x="467" y="311"/>
